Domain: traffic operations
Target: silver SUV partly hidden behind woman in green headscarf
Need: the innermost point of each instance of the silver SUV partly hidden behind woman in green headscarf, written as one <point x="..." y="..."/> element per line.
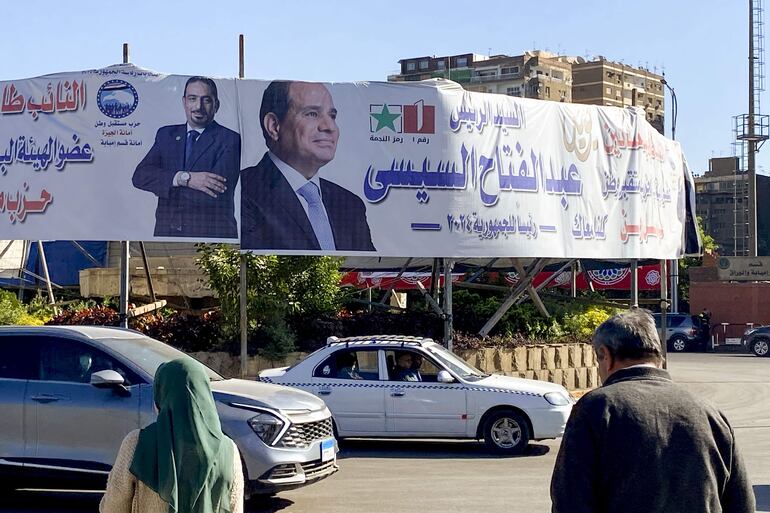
<point x="69" y="394"/>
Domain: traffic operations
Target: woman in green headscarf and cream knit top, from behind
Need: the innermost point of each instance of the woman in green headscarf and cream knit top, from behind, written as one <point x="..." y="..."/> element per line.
<point x="181" y="463"/>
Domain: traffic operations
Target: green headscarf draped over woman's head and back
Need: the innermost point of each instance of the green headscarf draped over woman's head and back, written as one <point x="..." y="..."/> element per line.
<point x="183" y="455"/>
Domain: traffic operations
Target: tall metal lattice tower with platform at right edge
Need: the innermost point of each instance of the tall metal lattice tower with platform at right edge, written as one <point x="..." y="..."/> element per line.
<point x="751" y="131"/>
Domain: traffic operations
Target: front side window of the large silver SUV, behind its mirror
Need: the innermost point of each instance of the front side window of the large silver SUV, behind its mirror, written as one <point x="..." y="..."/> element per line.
<point x="72" y="361"/>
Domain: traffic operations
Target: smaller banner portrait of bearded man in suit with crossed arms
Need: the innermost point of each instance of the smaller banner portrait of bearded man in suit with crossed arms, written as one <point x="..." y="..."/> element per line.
<point x="193" y="168"/>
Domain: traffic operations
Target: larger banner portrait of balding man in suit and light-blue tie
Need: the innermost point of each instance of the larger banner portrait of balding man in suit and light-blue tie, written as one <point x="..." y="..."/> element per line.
<point x="284" y="203"/>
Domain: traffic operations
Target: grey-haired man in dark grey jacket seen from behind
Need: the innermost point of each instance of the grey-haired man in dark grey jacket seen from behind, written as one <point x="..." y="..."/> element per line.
<point x="641" y="443"/>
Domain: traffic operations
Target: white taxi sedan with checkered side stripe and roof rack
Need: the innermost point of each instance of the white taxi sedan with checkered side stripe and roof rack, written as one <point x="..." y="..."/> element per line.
<point x="408" y="387"/>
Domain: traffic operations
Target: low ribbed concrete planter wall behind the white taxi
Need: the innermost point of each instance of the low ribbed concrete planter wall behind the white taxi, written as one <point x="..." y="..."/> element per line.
<point x="571" y="365"/>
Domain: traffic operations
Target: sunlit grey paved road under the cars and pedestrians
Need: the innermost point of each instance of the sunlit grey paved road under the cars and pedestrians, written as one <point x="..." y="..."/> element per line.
<point x="383" y="476"/>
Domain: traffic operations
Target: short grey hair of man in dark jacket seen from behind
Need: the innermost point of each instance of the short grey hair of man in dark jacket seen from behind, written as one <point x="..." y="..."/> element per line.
<point x="630" y="335"/>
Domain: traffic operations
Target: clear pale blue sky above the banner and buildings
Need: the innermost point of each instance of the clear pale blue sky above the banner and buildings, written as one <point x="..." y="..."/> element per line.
<point x="701" y="44"/>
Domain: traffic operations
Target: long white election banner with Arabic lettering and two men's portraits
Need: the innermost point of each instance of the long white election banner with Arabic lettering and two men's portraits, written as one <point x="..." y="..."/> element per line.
<point x="394" y="170"/>
